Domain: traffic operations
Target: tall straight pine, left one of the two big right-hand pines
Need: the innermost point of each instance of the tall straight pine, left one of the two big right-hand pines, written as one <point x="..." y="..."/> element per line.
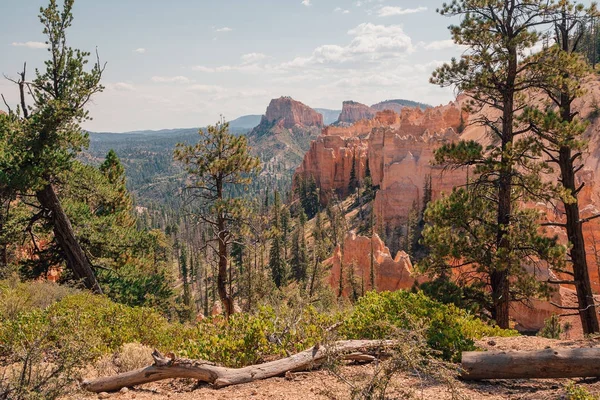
<point x="497" y="34"/>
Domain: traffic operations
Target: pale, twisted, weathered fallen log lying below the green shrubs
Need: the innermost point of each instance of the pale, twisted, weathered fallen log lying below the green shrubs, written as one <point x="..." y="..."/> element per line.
<point x="172" y="367"/>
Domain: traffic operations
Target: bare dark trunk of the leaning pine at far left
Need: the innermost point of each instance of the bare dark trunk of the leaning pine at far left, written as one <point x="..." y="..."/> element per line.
<point x="65" y="237"/>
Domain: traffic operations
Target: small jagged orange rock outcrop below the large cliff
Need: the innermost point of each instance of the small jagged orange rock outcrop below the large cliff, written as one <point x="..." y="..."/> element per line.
<point x="390" y="273"/>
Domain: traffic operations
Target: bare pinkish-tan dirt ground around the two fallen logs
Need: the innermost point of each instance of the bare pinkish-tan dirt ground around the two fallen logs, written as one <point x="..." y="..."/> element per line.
<point x="325" y="385"/>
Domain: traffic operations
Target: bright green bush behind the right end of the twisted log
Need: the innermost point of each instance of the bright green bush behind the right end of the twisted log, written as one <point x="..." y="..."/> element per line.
<point x="448" y="328"/>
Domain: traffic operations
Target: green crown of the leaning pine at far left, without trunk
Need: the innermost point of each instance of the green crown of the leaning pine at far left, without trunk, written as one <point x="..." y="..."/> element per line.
<point x="47" y="137"/>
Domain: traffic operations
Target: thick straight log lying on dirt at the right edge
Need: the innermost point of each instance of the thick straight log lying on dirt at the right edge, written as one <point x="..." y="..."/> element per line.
<point x="548" y="363"/>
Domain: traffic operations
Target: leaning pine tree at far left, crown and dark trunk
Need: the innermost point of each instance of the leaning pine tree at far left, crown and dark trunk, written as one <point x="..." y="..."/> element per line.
<point x="47" y="136"/>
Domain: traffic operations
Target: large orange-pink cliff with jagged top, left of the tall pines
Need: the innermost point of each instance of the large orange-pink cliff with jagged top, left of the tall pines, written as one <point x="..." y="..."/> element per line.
<point x="399" y="150"/>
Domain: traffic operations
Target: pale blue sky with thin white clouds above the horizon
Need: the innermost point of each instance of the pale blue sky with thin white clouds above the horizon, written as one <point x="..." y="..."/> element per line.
<point x="183" y="63"/>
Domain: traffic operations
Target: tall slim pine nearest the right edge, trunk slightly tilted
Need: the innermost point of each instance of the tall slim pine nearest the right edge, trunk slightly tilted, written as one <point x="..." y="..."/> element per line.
<point x="563" y="142"/>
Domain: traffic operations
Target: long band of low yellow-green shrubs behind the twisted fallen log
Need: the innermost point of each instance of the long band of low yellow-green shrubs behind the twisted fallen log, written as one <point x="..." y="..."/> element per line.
<point x="67" y="330"/>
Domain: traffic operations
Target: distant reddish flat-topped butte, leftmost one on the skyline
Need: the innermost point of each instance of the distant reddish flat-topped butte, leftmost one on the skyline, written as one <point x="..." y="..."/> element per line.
<point x="289" y="113"/>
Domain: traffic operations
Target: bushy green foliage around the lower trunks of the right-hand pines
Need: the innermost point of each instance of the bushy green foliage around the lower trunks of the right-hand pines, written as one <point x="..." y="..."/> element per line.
<point x="461" y="234"/>
